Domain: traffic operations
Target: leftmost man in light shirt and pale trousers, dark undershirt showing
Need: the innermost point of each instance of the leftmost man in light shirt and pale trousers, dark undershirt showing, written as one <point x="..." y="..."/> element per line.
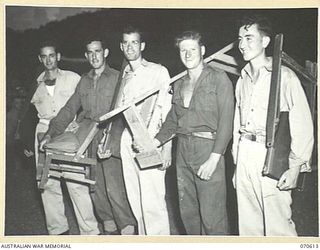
<point x="55" y="87"/>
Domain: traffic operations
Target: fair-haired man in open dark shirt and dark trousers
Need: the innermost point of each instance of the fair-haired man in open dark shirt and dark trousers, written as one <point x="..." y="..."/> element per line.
<point x="201" y="116"/>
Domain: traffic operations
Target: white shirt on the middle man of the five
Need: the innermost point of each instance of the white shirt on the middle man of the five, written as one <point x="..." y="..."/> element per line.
<point x="155" y="108"/>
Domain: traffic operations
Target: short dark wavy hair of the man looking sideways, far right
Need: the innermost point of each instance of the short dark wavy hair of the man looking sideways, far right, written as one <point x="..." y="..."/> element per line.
<point x="263" y="23"/>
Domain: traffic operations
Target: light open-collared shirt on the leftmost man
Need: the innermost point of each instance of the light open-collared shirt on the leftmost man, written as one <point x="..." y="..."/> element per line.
<point x="49" y="100"/>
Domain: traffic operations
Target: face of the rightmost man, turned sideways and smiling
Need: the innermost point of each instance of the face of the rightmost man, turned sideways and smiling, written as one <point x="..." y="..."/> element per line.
<point x="252" y="43"/>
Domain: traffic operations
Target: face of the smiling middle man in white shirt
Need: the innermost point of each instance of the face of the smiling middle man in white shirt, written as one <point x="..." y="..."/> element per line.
<point x="132" y="46"/>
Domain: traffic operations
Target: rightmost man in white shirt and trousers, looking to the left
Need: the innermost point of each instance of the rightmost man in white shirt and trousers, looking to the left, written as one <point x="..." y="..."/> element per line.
<point x="264" y="203"/>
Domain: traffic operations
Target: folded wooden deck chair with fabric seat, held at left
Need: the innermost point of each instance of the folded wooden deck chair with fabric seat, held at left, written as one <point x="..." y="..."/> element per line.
<point x="60" y="159"/>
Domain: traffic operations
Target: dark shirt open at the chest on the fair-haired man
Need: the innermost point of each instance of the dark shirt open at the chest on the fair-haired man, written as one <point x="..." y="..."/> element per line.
<point x="211" y="109"/>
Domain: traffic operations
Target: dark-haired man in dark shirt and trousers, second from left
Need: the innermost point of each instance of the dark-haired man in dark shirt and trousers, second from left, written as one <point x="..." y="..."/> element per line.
<point x="94" y="95"/>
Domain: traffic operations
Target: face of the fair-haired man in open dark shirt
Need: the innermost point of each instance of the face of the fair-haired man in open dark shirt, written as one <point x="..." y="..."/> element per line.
<point x="191" y="53"/>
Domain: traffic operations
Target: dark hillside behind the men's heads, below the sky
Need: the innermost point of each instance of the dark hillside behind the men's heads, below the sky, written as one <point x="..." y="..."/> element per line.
<point x="299" y="27"/>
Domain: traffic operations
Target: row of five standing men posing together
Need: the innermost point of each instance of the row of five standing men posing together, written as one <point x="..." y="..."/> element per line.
<point x="129" y="200"/>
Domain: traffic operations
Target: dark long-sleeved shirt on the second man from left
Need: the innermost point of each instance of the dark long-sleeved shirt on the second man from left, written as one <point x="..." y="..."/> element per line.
<point x="94" y="96"/>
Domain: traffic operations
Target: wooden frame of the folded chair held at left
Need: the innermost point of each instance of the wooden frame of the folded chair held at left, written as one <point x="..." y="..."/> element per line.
<point x="56" y="163"/>
